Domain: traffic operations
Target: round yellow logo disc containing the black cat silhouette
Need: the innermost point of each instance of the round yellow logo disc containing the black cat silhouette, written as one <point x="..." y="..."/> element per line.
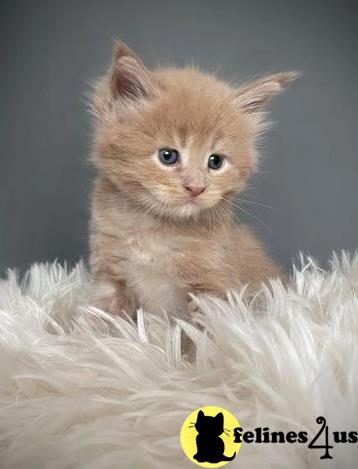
<point x="208" y="438"/>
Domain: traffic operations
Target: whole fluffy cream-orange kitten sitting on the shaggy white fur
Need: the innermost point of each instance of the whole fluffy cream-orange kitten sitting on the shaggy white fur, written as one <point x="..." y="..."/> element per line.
<point x="172" y="148"/>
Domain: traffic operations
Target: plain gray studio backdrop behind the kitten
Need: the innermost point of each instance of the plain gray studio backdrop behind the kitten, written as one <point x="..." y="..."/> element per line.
<point x="50" y="50"/>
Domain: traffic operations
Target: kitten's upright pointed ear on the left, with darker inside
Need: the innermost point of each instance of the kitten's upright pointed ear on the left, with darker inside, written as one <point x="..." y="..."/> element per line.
<point x="128" y="77"/>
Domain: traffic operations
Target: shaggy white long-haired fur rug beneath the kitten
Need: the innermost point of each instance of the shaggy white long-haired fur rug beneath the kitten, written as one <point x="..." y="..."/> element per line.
<point x="81" y="389"/>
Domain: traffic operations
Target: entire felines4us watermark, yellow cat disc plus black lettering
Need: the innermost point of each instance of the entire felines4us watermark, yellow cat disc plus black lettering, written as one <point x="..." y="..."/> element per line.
<point x="212" y="437"/>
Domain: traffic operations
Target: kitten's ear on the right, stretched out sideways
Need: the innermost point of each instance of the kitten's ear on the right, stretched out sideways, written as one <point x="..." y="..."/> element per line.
<point x="254" y="96"/>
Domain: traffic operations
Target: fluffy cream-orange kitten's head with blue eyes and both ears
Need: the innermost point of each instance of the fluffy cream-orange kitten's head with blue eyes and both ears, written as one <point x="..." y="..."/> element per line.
<point x="177" y="141"/>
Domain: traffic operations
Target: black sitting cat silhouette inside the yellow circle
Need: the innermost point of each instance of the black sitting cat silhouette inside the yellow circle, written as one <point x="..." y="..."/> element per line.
<point x="210" y="447"/>
